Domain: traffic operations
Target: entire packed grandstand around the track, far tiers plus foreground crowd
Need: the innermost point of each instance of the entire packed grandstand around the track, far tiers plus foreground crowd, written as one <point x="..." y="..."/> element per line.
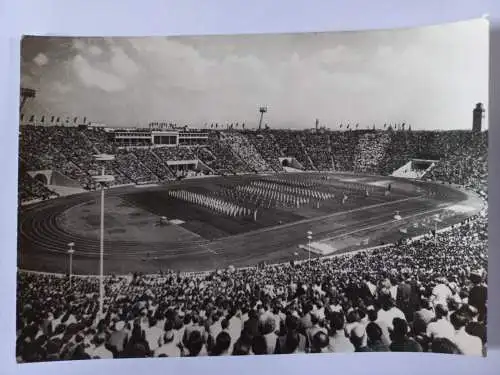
<point x="427" y="295"/>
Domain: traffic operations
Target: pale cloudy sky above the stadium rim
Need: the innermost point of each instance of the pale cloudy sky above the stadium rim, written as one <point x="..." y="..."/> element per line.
<point x="429" y="77"/>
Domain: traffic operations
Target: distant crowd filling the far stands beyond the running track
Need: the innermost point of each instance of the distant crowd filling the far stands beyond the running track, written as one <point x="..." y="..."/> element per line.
<point x="461" y="155"/>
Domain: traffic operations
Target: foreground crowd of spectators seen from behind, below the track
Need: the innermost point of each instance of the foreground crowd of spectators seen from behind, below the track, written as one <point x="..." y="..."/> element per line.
<point x="423" y="296"/>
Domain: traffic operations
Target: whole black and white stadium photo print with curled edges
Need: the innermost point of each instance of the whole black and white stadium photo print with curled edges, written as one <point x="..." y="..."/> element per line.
<point x="253" y="194"/>
